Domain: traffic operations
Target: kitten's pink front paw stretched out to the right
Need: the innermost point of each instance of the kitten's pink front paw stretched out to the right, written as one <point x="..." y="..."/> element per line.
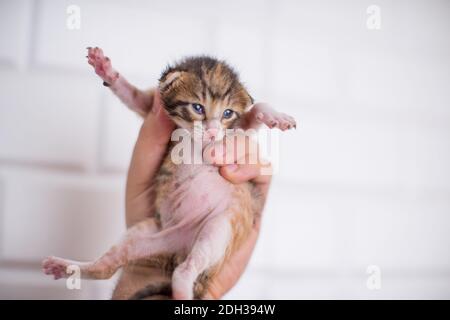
<point x="273" y="119"/>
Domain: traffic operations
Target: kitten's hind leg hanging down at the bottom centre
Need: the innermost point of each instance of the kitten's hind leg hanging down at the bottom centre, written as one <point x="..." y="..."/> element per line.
<point x="209" y="248"/>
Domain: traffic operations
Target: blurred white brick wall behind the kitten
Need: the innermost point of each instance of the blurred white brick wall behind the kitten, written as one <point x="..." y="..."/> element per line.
<point x="364" y="180"/>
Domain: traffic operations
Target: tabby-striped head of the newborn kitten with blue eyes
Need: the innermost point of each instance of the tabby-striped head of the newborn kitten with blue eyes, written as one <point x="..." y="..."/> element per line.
<point x="203" y="90"/>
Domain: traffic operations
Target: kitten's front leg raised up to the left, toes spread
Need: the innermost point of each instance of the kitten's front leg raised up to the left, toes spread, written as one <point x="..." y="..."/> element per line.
<point x="135" y="99"/>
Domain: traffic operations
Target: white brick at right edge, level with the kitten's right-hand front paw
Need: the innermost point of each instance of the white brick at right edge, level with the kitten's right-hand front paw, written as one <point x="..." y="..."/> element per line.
<point x="344" y="144"/>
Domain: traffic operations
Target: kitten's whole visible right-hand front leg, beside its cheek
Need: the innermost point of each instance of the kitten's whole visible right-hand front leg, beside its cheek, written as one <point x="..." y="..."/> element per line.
<point x="263" y="113"/>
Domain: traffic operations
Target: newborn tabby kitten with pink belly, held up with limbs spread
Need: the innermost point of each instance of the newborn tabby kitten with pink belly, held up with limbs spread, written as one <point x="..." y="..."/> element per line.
<point x="201" y="218"/>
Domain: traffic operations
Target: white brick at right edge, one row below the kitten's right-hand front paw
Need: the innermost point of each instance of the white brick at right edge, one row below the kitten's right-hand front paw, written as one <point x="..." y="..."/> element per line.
<point x="307" y="226"/>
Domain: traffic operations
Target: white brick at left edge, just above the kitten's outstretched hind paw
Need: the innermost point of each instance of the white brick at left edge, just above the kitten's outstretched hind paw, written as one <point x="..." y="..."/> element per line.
<point x="57" y="214"/>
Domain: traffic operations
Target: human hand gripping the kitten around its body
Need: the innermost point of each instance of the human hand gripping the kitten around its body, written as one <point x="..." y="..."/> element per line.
<point x="148" y="153"/>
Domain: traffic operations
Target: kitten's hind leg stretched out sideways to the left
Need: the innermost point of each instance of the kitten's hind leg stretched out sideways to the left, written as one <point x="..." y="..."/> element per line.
<point x="141" y="240"/>
